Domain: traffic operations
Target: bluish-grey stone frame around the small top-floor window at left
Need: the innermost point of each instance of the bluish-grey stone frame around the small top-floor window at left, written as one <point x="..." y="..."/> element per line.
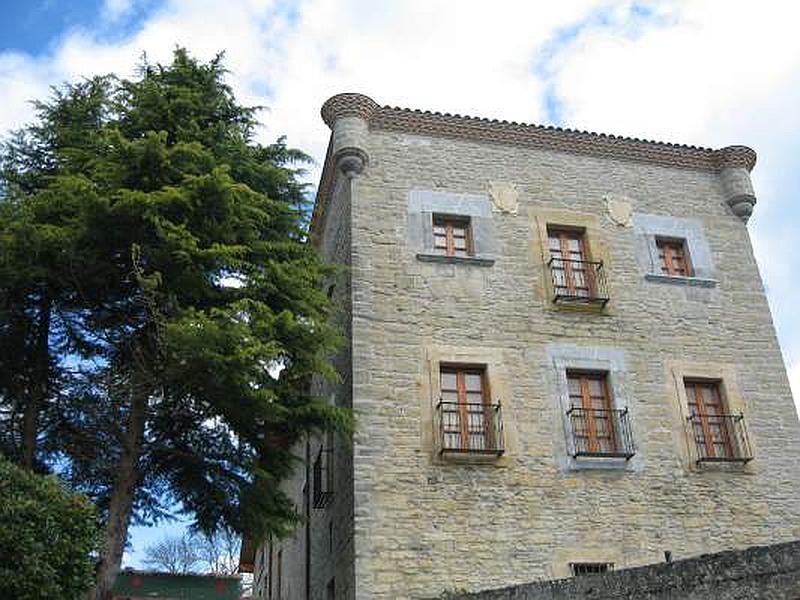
<point x="424" y="205"/>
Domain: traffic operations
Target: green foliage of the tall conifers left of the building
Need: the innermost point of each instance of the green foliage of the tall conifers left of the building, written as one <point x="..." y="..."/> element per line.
<point x="169" y="247"/>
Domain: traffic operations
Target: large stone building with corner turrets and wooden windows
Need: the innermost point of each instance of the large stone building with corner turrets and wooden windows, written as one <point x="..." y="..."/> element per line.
<point x="560" y="357"/>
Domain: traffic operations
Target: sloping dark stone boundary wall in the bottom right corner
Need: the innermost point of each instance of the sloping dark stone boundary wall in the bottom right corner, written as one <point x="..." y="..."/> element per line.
<point x="760" y="572"/>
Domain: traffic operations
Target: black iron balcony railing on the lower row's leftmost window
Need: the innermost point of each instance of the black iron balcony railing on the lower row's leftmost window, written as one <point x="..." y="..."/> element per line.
<point x="469" y="428"/>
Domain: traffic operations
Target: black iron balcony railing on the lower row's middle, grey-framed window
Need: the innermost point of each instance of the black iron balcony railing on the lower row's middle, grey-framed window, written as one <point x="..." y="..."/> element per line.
<point x="600" y="433"/>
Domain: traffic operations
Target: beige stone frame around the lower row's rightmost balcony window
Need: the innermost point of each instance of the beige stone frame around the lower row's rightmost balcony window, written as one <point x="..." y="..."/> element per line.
<point x="680" y="371"/>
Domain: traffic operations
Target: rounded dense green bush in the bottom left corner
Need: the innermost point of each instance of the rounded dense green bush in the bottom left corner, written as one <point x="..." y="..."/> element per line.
<point x="47" y="536"/>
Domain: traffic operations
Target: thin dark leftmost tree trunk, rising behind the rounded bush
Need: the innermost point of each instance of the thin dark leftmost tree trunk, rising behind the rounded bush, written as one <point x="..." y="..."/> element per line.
<point x="39" y="386"/>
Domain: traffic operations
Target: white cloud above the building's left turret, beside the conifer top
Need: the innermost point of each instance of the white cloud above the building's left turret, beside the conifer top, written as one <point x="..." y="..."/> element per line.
<point x="467" y="58"/>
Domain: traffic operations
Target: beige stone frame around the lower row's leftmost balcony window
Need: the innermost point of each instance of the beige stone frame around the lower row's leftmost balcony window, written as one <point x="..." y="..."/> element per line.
<point x="498" y="378"/>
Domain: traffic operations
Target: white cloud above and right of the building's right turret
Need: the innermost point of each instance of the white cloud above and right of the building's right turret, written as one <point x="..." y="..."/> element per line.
<point x="711" y="74"/>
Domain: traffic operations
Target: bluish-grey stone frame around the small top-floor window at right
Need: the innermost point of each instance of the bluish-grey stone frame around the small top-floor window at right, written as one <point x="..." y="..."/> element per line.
<point x="649" y="228"/>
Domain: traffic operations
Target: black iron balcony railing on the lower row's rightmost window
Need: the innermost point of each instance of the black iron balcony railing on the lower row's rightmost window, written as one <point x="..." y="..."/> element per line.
<point x="719" y="438"/>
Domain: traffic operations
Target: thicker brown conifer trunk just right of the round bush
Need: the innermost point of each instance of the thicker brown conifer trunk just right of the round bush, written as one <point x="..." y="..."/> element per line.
<point x="119" y="510"/>
